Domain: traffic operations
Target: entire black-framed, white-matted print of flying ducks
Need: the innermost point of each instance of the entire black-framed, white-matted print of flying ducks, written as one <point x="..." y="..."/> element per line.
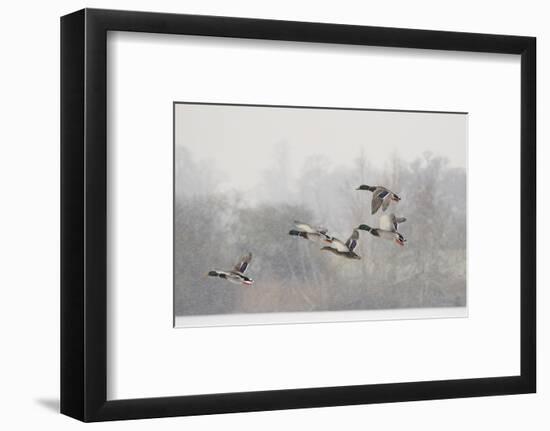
<point x="331" y="209"/>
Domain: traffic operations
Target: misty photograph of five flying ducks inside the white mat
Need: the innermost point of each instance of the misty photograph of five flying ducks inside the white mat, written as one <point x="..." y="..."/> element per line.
<point x="331" y="212"/>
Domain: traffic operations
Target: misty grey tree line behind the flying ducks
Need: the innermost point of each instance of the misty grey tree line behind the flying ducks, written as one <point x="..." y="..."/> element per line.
<point x="213" y="229"/>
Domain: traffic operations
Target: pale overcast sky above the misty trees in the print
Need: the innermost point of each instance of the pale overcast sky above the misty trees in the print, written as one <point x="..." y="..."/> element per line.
<point x="241" y="141"/>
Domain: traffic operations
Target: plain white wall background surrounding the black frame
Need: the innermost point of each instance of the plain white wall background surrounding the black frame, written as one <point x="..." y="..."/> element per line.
<point x="29" y="235"/>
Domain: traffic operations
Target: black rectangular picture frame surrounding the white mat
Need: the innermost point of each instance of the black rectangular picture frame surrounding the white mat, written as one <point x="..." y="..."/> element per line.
<point x="84" y="214"/>
